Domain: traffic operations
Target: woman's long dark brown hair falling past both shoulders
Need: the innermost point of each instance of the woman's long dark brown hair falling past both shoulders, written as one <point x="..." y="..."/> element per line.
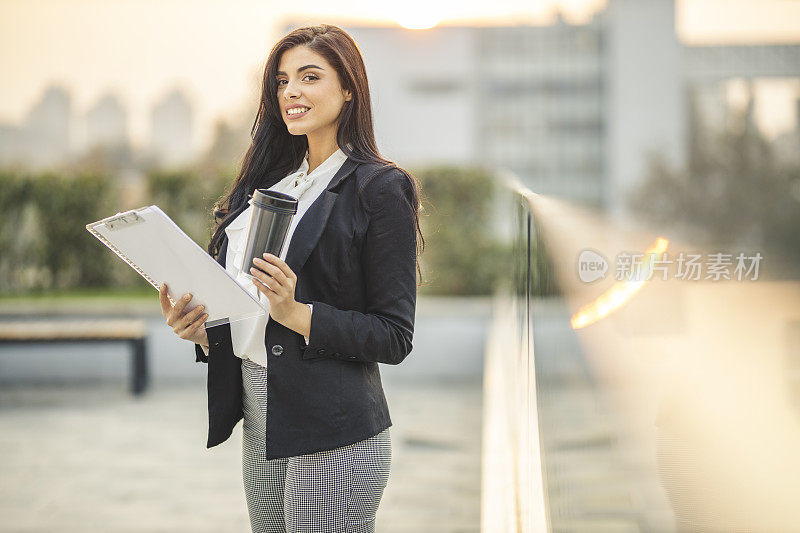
<point x="274" y="152"/>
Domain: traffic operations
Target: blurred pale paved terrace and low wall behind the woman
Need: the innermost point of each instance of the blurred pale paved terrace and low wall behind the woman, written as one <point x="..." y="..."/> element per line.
<point x="78" y="453"/>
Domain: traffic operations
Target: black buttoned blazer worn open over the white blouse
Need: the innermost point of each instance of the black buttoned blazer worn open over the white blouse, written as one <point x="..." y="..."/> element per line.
<point x="355" y="262"/>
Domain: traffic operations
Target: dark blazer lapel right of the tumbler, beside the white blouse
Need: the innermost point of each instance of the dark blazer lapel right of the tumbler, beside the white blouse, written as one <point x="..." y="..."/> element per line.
<point x="309" y="230"/>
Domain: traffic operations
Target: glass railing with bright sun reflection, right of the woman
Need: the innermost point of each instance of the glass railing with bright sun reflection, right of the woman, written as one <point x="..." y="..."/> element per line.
<point x="636" y="398"/>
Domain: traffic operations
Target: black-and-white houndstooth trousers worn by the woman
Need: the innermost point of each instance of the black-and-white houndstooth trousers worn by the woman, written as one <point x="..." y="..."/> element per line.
<point x="329" y="491"/>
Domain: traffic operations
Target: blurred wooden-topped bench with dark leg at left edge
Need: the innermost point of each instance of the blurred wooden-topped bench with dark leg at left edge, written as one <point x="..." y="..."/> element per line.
<point x="133" y="332"/>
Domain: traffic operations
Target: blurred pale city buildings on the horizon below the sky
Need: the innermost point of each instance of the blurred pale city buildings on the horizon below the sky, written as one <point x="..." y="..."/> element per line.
<point x="576" y="110"/>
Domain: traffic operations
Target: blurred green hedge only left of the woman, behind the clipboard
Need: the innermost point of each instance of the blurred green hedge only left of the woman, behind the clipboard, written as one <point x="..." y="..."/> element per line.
<point x="43" y="237"/>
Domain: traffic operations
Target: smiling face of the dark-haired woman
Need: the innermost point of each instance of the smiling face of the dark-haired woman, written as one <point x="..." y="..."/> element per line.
<point x="306" y="81"/>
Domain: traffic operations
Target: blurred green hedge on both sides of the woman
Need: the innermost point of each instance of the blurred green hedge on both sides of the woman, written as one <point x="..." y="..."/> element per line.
<point x="45" y="245"/>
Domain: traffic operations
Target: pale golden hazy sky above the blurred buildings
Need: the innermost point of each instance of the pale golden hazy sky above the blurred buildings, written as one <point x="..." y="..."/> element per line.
<point x="215" y="49"/>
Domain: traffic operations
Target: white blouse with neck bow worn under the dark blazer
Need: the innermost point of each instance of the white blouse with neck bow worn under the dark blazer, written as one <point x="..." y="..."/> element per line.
<point x="248" y="334"/>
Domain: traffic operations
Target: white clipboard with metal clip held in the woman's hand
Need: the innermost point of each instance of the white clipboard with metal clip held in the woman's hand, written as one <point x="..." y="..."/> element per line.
<point x="156" y="247"/>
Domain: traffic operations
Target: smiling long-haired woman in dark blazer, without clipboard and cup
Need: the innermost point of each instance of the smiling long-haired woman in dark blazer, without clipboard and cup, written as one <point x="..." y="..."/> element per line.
<point x="316" y="448"/>
